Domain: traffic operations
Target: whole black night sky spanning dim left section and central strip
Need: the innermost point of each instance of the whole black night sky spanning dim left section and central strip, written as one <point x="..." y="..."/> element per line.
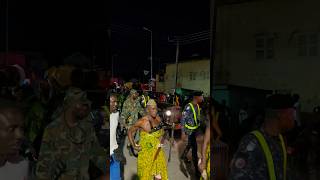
<point x="58" y="29"/>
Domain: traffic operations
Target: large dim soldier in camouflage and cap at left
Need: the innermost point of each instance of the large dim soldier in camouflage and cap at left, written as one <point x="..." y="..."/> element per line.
<point x="69" y="142"/>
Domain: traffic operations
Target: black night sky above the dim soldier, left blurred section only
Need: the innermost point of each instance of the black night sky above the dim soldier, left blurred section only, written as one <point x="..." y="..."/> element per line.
<point x="56" y="29"/>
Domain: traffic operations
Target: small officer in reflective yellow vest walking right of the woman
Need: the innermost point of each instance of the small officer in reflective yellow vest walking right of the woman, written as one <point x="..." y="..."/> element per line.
<point x="190" y="124"/>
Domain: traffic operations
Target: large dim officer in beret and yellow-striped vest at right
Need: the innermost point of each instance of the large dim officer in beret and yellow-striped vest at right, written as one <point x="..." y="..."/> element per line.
<point x="262" y="153"/>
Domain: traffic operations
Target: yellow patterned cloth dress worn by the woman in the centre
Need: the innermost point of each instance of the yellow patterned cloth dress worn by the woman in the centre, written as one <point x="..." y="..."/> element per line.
<point x="147" y="168"/>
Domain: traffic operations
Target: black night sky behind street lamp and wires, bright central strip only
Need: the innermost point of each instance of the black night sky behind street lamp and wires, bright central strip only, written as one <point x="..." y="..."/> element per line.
<point x="165" y="18"/>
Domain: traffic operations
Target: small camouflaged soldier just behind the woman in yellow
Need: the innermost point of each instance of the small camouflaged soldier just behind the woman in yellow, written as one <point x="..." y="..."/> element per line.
<point x="130" y="113"/>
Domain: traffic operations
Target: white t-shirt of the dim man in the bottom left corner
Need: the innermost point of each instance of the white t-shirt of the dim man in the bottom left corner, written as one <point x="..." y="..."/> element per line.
<point x="19" y="171"/>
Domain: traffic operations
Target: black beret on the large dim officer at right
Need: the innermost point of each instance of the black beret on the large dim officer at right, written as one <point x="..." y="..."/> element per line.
<point x="279" y="101"/>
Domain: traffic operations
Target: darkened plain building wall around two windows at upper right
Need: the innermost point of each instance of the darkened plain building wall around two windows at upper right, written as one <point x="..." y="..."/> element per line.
<point x="236" y="62"/>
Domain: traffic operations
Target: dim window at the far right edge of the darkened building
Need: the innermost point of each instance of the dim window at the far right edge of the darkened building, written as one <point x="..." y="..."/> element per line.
<point x="307" y="44"/>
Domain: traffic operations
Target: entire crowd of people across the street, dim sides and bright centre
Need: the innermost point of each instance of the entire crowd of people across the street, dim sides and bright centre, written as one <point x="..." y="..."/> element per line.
<point x="61" y="132"/>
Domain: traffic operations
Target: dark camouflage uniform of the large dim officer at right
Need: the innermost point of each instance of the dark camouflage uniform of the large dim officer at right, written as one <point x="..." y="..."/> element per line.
<point x="249" y="162"/>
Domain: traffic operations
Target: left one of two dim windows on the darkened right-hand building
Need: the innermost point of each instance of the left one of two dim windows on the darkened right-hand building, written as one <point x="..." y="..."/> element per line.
<point x="264" y="47"/>
